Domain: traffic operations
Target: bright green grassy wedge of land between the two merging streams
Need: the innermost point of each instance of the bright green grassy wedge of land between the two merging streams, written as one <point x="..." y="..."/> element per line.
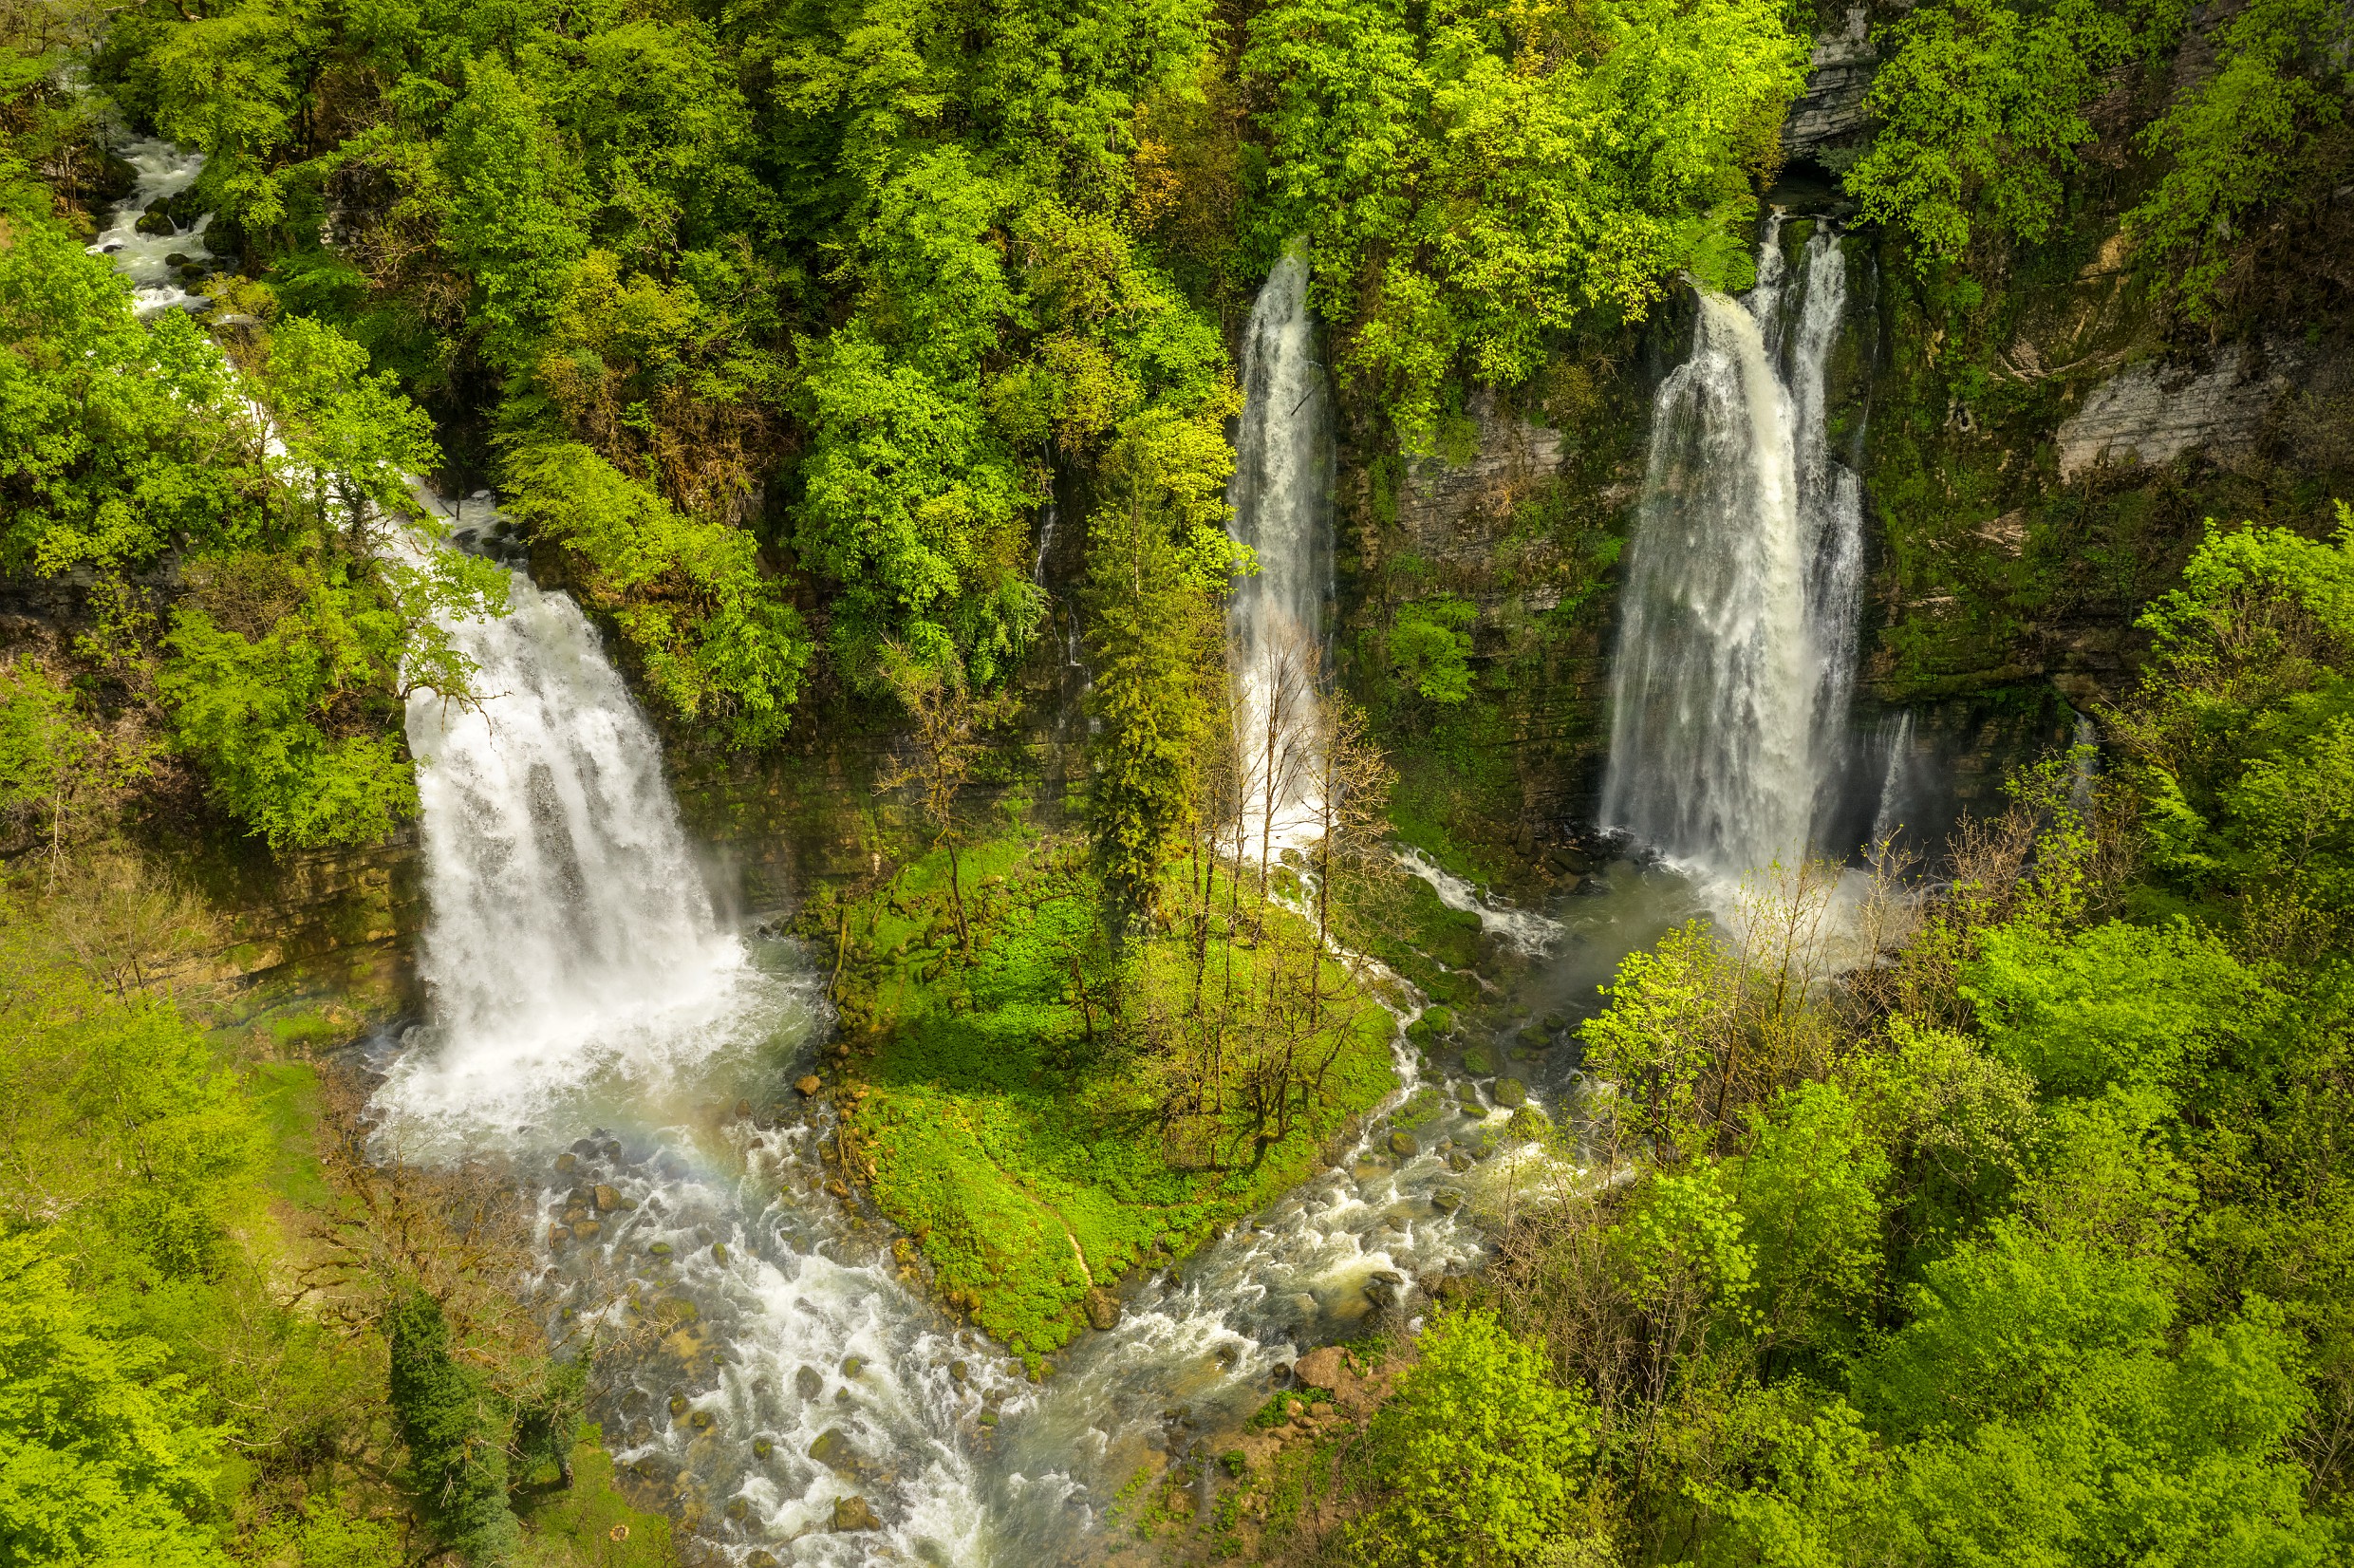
<point x="1006" y="1115"/>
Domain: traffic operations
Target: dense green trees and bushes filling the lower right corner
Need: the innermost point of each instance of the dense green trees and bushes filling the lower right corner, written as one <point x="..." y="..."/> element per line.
<point x="2028" y="1244"/>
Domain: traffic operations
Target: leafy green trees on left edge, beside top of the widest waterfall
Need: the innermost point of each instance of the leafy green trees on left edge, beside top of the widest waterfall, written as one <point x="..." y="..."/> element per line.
<point x="265" y="505"/>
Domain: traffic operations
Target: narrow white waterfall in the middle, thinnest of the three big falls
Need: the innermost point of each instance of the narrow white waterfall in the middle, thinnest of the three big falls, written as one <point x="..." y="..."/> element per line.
<point x="1282" y="503"/>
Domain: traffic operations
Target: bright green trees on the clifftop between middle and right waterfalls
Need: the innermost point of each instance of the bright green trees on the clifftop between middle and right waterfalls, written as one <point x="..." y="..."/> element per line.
<point x="1475" y="180"/>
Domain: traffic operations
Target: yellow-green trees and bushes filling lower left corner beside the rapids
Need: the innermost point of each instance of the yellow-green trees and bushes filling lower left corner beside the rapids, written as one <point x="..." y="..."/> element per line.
<point x="222" y="1338"/>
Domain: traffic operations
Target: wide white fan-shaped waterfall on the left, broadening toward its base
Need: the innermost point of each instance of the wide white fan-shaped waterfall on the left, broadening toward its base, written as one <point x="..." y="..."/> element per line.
<point x="571" y="926"/>
